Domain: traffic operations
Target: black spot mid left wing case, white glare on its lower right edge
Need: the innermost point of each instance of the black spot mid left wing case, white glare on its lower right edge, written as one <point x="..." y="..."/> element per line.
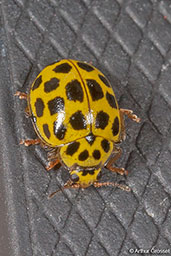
<point x="56" y="105"/>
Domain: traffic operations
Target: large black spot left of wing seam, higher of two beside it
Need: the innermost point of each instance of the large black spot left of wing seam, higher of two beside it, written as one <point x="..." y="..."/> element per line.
<point x="74" y="91"/>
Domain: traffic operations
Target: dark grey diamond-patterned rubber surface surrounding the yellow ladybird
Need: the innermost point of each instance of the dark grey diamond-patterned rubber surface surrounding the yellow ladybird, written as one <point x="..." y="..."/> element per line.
<point x="130" y="42"/>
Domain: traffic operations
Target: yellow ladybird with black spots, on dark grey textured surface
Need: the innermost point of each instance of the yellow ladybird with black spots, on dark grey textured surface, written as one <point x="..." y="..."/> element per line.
<point x="76" y="116"/>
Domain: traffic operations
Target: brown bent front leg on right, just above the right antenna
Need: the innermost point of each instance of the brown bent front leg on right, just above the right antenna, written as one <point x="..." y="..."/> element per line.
<point x="111" y="168"/>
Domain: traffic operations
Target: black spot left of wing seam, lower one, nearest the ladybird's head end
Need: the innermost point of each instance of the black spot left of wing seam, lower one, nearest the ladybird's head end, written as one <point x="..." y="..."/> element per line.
<point x="78" y="121"/>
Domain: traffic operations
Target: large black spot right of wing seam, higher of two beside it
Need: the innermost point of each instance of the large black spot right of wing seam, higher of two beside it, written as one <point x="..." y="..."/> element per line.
<point x="94" y="89"/>
